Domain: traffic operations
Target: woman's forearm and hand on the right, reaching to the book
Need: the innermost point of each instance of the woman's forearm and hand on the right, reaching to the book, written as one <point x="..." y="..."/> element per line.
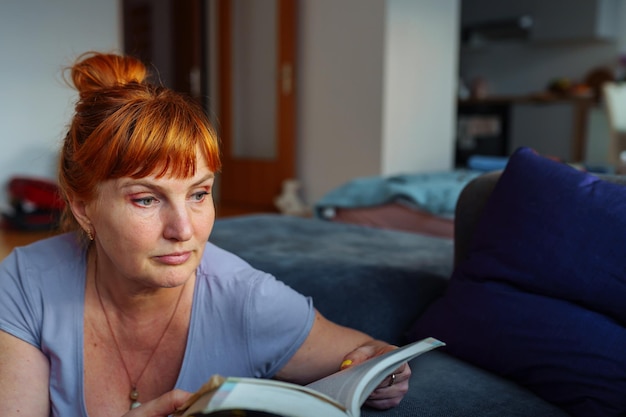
<point x="330" y="346"/>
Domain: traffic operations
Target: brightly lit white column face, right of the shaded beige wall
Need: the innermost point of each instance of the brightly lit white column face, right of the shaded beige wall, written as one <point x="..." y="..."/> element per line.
<point x="421" y="67"/>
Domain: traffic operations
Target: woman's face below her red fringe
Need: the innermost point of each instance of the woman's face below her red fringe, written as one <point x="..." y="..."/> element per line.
<point x="152" y="230"/>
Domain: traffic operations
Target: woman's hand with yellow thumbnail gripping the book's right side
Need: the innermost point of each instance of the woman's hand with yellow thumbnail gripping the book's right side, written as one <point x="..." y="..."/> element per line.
<point x="393" y="388"/>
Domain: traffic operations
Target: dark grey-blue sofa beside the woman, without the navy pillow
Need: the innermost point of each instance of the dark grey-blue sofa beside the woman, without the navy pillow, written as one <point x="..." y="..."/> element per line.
<point x="381" y="281"/>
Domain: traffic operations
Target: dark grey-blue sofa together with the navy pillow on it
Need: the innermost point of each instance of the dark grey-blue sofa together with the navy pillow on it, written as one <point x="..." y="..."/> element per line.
<point x="528" y="296"/>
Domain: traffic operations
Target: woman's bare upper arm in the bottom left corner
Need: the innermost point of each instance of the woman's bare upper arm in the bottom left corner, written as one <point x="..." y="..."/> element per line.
<point x="24" y="379"/>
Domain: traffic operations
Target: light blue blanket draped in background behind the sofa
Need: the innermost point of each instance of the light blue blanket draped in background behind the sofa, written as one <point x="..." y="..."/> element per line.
<point x="435" y="193"/>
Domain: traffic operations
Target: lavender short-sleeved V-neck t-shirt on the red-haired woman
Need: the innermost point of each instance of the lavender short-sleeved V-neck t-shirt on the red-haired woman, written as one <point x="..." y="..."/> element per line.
<point x="244" y="322"/>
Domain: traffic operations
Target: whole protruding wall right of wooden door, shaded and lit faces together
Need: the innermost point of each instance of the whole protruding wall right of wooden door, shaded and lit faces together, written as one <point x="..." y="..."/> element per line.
<point x="375" y="89"/>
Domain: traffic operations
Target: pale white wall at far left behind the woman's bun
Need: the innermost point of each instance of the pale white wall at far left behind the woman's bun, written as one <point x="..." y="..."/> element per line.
<point x="38" y="38"/>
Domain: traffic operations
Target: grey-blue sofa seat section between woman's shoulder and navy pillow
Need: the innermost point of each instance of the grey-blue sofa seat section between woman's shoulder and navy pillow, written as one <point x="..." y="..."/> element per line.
<point x="378" y="281"/>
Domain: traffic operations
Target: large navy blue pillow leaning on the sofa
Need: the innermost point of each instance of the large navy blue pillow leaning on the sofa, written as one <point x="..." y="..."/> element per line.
<point x="541" y="298"/>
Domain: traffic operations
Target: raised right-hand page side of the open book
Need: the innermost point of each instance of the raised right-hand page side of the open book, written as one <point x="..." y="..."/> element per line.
<point x="353" y="385"/>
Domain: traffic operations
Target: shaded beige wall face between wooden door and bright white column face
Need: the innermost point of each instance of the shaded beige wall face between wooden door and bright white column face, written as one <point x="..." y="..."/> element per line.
<point x="339" y="91"/>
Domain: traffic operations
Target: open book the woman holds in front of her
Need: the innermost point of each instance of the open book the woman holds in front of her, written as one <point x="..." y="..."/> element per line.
<point x="338" y="395"/>
